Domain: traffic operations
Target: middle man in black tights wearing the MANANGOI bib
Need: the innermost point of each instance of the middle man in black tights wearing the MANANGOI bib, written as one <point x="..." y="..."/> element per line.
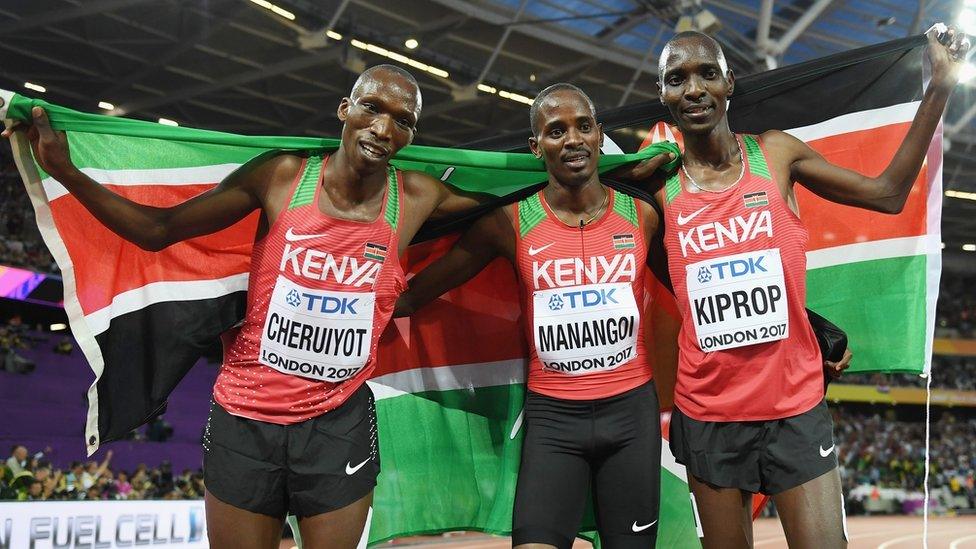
<point x="591" y="413"/>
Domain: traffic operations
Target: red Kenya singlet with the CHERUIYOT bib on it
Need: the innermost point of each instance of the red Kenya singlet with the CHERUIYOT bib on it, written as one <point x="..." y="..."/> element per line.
<point x="320" y="293"/>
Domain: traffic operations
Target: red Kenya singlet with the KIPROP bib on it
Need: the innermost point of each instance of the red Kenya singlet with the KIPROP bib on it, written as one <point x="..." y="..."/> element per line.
<point x="737" y="260"/>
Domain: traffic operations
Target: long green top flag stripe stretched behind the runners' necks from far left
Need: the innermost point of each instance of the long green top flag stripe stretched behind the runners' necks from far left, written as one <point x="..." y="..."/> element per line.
<point x="121" y="143"/>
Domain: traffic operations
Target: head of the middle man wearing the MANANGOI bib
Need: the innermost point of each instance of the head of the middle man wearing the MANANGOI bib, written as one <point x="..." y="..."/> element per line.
<point x="567" y="137"/>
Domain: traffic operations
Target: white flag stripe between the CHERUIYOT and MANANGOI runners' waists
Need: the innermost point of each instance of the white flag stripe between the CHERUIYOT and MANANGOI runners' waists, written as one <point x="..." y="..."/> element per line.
<point x="449" y="378"/>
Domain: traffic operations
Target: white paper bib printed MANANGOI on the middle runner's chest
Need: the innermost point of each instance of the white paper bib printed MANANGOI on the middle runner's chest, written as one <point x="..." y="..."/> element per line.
<point x="585" y="329"/>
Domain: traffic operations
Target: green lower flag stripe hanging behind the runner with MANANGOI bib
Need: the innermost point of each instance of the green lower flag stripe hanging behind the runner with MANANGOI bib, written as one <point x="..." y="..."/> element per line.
<point x="449" y="462"/>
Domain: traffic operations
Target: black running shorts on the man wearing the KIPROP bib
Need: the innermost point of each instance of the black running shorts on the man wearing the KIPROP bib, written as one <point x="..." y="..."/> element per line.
<point x="766" y="457"/>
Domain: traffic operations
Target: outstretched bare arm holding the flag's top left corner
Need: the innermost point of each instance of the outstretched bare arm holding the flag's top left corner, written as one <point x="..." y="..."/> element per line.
<point x="149" y="227"/>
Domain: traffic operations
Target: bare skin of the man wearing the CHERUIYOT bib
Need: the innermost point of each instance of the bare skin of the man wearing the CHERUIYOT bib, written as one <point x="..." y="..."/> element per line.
<point x="379" y="119"/>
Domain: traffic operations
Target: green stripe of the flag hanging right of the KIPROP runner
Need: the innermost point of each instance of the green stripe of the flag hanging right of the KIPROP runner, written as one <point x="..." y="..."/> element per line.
<point x="881" y="305"/>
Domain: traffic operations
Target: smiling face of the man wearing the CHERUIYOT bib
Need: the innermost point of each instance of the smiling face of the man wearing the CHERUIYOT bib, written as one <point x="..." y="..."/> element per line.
<point x="379" y="118"/>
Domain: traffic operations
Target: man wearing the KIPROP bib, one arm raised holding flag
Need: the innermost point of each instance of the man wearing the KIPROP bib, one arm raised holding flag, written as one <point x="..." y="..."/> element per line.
<point x="749" y="413"/>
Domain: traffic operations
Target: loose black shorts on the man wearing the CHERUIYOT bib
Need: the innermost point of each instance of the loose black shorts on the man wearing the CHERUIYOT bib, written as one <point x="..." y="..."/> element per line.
<point x="305" y="469"/>
